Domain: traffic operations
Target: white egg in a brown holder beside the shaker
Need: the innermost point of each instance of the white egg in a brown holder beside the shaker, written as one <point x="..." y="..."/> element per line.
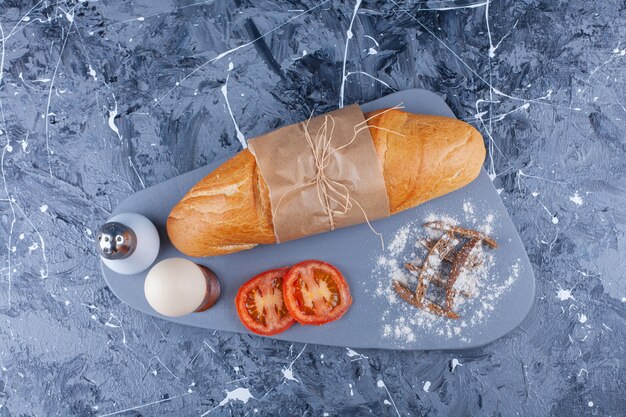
<point x="176" y="286"/>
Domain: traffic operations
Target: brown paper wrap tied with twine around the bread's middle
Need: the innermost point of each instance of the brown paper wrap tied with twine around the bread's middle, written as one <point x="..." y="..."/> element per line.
<point x="328" y="179"/>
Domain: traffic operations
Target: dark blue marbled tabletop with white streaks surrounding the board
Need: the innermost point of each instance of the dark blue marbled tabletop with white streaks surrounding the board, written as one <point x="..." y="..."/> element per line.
<point x="101" y="98"/>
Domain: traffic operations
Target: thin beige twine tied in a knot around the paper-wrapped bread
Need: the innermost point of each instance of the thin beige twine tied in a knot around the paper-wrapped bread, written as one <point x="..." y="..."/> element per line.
<point x="330" y="191"/>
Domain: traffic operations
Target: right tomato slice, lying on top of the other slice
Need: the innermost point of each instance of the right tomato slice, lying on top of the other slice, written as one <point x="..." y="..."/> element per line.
<point x="315" y="293"/>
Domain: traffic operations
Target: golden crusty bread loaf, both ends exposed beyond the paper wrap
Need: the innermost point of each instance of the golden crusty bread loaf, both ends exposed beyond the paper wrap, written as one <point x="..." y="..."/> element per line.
<point x="229" y="210"/>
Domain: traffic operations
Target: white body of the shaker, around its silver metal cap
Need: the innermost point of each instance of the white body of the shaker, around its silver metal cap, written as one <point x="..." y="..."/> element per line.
<point x="147" y="245"/>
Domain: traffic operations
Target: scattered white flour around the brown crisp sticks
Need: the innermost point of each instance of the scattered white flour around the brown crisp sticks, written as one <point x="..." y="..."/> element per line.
<point x="478" y="288"/>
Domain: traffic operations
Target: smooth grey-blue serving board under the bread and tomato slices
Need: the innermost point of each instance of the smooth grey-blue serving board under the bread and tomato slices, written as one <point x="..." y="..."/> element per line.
<point x="353" y="250"/>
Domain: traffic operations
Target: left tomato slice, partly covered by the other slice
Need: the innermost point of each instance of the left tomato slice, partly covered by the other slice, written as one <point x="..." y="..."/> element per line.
<point x="260" y="303"/>
